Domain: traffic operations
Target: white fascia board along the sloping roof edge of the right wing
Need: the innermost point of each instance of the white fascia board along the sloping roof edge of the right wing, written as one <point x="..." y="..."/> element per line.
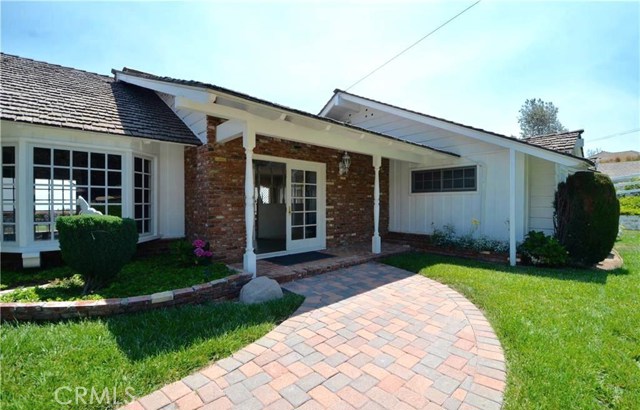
<point x="461" y="130"/>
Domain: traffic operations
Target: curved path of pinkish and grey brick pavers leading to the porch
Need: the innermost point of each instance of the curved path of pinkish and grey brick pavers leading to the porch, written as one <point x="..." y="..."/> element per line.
<point x="370" y="337"/>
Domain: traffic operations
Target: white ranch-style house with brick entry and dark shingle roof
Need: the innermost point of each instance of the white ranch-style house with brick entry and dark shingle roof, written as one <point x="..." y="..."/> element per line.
<point x="256" y="179"/>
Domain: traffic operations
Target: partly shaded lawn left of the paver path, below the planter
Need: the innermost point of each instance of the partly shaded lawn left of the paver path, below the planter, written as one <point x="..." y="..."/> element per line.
<point x="141" y="352"/>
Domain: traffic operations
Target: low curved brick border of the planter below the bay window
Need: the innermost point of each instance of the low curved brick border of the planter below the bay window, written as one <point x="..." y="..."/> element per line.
<point x="217" y="290"/>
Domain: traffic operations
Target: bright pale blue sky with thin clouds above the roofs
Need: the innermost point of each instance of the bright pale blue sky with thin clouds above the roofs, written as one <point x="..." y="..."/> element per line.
<point x="478" y="70"/>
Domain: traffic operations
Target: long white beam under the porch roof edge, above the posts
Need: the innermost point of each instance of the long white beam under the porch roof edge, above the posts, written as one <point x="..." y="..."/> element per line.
<point x="340" y="138"/>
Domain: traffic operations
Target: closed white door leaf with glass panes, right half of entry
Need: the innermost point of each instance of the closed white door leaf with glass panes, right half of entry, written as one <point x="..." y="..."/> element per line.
<point x="306" y="206"/>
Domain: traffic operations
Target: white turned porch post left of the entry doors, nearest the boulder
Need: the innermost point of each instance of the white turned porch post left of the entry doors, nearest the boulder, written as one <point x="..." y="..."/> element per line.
<point x="249" y="143"/>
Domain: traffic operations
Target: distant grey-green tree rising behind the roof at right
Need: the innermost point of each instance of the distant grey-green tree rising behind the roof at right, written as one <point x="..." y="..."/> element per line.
<point x="538" y="118"/>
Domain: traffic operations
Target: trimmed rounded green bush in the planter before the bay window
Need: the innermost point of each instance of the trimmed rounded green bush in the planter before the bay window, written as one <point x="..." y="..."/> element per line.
<point x="96" y="246"/>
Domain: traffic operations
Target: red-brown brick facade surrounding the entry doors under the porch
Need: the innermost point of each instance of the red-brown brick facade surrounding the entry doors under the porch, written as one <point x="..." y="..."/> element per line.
<point x="214" y="192"/>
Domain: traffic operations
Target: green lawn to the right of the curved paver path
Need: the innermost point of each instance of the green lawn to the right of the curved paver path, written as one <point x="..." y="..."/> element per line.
<point x="571" y="337"/>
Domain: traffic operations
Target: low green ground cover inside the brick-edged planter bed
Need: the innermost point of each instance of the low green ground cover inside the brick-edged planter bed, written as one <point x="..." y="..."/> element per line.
<point x="142" y="276"/>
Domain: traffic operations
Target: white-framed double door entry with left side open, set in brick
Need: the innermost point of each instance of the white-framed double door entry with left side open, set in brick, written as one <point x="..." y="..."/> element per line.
<point x="290" y="206"/>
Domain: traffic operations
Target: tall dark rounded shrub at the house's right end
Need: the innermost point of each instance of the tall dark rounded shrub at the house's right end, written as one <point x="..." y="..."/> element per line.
<point x="586" y="216"/>
